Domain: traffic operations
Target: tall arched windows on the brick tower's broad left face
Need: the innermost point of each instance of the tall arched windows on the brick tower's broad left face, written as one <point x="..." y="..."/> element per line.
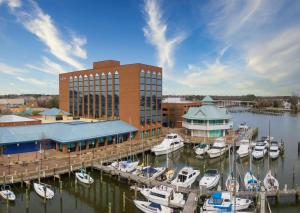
<point x="94" y="96"/>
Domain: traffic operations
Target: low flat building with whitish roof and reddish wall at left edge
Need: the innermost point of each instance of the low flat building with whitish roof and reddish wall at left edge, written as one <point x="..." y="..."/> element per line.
<point x="14" y="120"/>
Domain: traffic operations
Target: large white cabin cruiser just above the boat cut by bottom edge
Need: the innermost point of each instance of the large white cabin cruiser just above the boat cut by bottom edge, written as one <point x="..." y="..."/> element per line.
<point x="163" y="195"/>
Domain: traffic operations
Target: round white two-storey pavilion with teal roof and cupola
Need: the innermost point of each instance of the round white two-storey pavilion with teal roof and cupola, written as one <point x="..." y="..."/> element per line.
<point x="207" y="120"/>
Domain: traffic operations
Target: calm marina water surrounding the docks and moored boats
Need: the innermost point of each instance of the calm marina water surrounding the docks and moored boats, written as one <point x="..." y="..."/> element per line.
<point x="107" y="192"/>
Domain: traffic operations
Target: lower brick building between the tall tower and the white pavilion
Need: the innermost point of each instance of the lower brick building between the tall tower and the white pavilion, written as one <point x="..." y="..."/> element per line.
<point x="173" y="110"/>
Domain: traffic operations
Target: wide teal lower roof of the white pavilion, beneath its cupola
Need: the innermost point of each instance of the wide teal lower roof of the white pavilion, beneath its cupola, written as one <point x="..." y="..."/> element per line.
<point x="207" y="112"/>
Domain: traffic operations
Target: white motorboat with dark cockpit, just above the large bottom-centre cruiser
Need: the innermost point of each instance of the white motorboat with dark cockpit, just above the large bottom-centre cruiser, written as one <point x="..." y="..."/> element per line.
<point x="186" y="177"/>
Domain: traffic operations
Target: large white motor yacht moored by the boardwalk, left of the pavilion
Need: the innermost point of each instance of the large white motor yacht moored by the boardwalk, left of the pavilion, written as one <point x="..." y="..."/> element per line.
<point x="171" y="143"/>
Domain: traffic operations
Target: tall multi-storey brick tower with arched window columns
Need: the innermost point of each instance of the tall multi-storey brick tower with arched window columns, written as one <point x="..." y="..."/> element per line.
<point x="130" y="92"/>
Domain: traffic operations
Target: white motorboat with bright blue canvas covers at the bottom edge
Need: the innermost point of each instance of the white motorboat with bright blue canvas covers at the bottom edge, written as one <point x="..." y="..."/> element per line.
<point x="224" y="202"/>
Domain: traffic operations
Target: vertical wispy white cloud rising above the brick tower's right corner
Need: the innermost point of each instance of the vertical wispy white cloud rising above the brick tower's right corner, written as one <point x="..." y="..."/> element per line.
<point x="156" y="31"/>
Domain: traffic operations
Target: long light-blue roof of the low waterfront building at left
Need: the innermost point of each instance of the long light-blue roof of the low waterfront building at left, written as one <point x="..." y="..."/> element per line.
<point x="63" y="132"/>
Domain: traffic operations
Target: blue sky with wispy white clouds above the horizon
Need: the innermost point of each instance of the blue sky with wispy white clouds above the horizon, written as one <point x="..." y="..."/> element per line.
<point x="205" y="47"/>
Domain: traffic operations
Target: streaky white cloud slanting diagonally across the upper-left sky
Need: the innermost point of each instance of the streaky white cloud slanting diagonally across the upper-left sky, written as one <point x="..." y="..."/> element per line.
<point x="42" y="26"/>
